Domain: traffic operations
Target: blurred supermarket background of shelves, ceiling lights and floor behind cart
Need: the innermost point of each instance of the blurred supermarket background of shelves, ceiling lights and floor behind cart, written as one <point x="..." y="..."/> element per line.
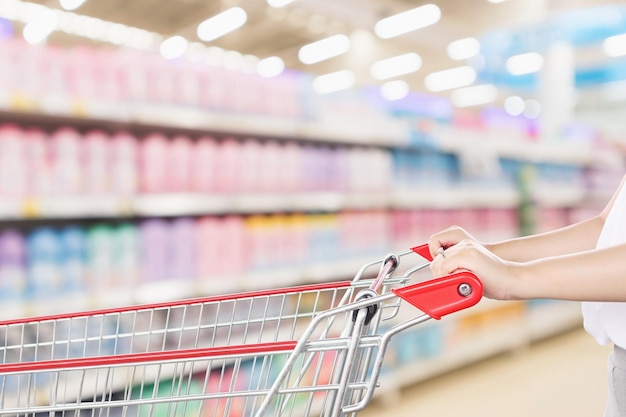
<point x="156" y="150"/>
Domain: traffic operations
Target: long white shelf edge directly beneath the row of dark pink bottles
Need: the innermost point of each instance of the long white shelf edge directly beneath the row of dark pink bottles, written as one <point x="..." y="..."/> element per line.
<point x="190" y="204"/>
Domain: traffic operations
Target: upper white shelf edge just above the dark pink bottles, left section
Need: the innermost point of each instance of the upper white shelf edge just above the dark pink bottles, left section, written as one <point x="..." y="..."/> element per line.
<point x="147" y="118"/>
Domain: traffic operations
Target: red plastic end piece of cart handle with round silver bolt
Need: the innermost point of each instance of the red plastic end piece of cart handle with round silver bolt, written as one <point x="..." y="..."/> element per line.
<point x="441" y="296"/>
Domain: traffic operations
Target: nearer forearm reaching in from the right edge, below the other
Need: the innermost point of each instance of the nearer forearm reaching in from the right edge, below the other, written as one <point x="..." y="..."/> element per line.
<point x="595" y="275"/>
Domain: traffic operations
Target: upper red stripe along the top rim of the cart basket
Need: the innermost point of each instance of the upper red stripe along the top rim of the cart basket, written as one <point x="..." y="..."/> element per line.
<point x="168" y="304"/>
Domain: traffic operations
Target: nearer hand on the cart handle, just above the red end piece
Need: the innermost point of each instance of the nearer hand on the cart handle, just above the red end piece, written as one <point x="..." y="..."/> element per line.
<point x="499" y="277"/>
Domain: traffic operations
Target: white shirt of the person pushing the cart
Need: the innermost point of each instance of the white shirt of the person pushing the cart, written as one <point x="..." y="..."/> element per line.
<point x="606" y="322"/>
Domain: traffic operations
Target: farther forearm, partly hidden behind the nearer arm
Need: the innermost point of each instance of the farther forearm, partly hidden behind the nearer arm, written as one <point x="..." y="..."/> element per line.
<point x="578" y="237"/>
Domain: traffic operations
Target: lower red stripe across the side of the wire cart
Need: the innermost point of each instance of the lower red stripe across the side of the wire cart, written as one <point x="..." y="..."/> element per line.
<point x="148" y="357"/>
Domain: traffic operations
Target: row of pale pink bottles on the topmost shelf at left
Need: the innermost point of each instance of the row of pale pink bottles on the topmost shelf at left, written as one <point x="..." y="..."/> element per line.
<point x="101" y="82"/>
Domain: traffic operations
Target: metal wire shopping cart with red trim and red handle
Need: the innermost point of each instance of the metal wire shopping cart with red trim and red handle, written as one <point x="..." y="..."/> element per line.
<point x="301" y="351"/>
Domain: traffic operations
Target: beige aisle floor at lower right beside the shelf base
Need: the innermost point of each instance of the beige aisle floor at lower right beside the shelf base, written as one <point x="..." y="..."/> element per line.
<point x="561" y="376"/>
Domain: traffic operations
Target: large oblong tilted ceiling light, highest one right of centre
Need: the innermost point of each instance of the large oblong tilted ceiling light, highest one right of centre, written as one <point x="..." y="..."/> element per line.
<point x="408" y="21"/>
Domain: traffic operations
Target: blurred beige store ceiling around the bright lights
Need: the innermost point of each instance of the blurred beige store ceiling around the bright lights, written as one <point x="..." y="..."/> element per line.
<point x="282" y="31"/>
